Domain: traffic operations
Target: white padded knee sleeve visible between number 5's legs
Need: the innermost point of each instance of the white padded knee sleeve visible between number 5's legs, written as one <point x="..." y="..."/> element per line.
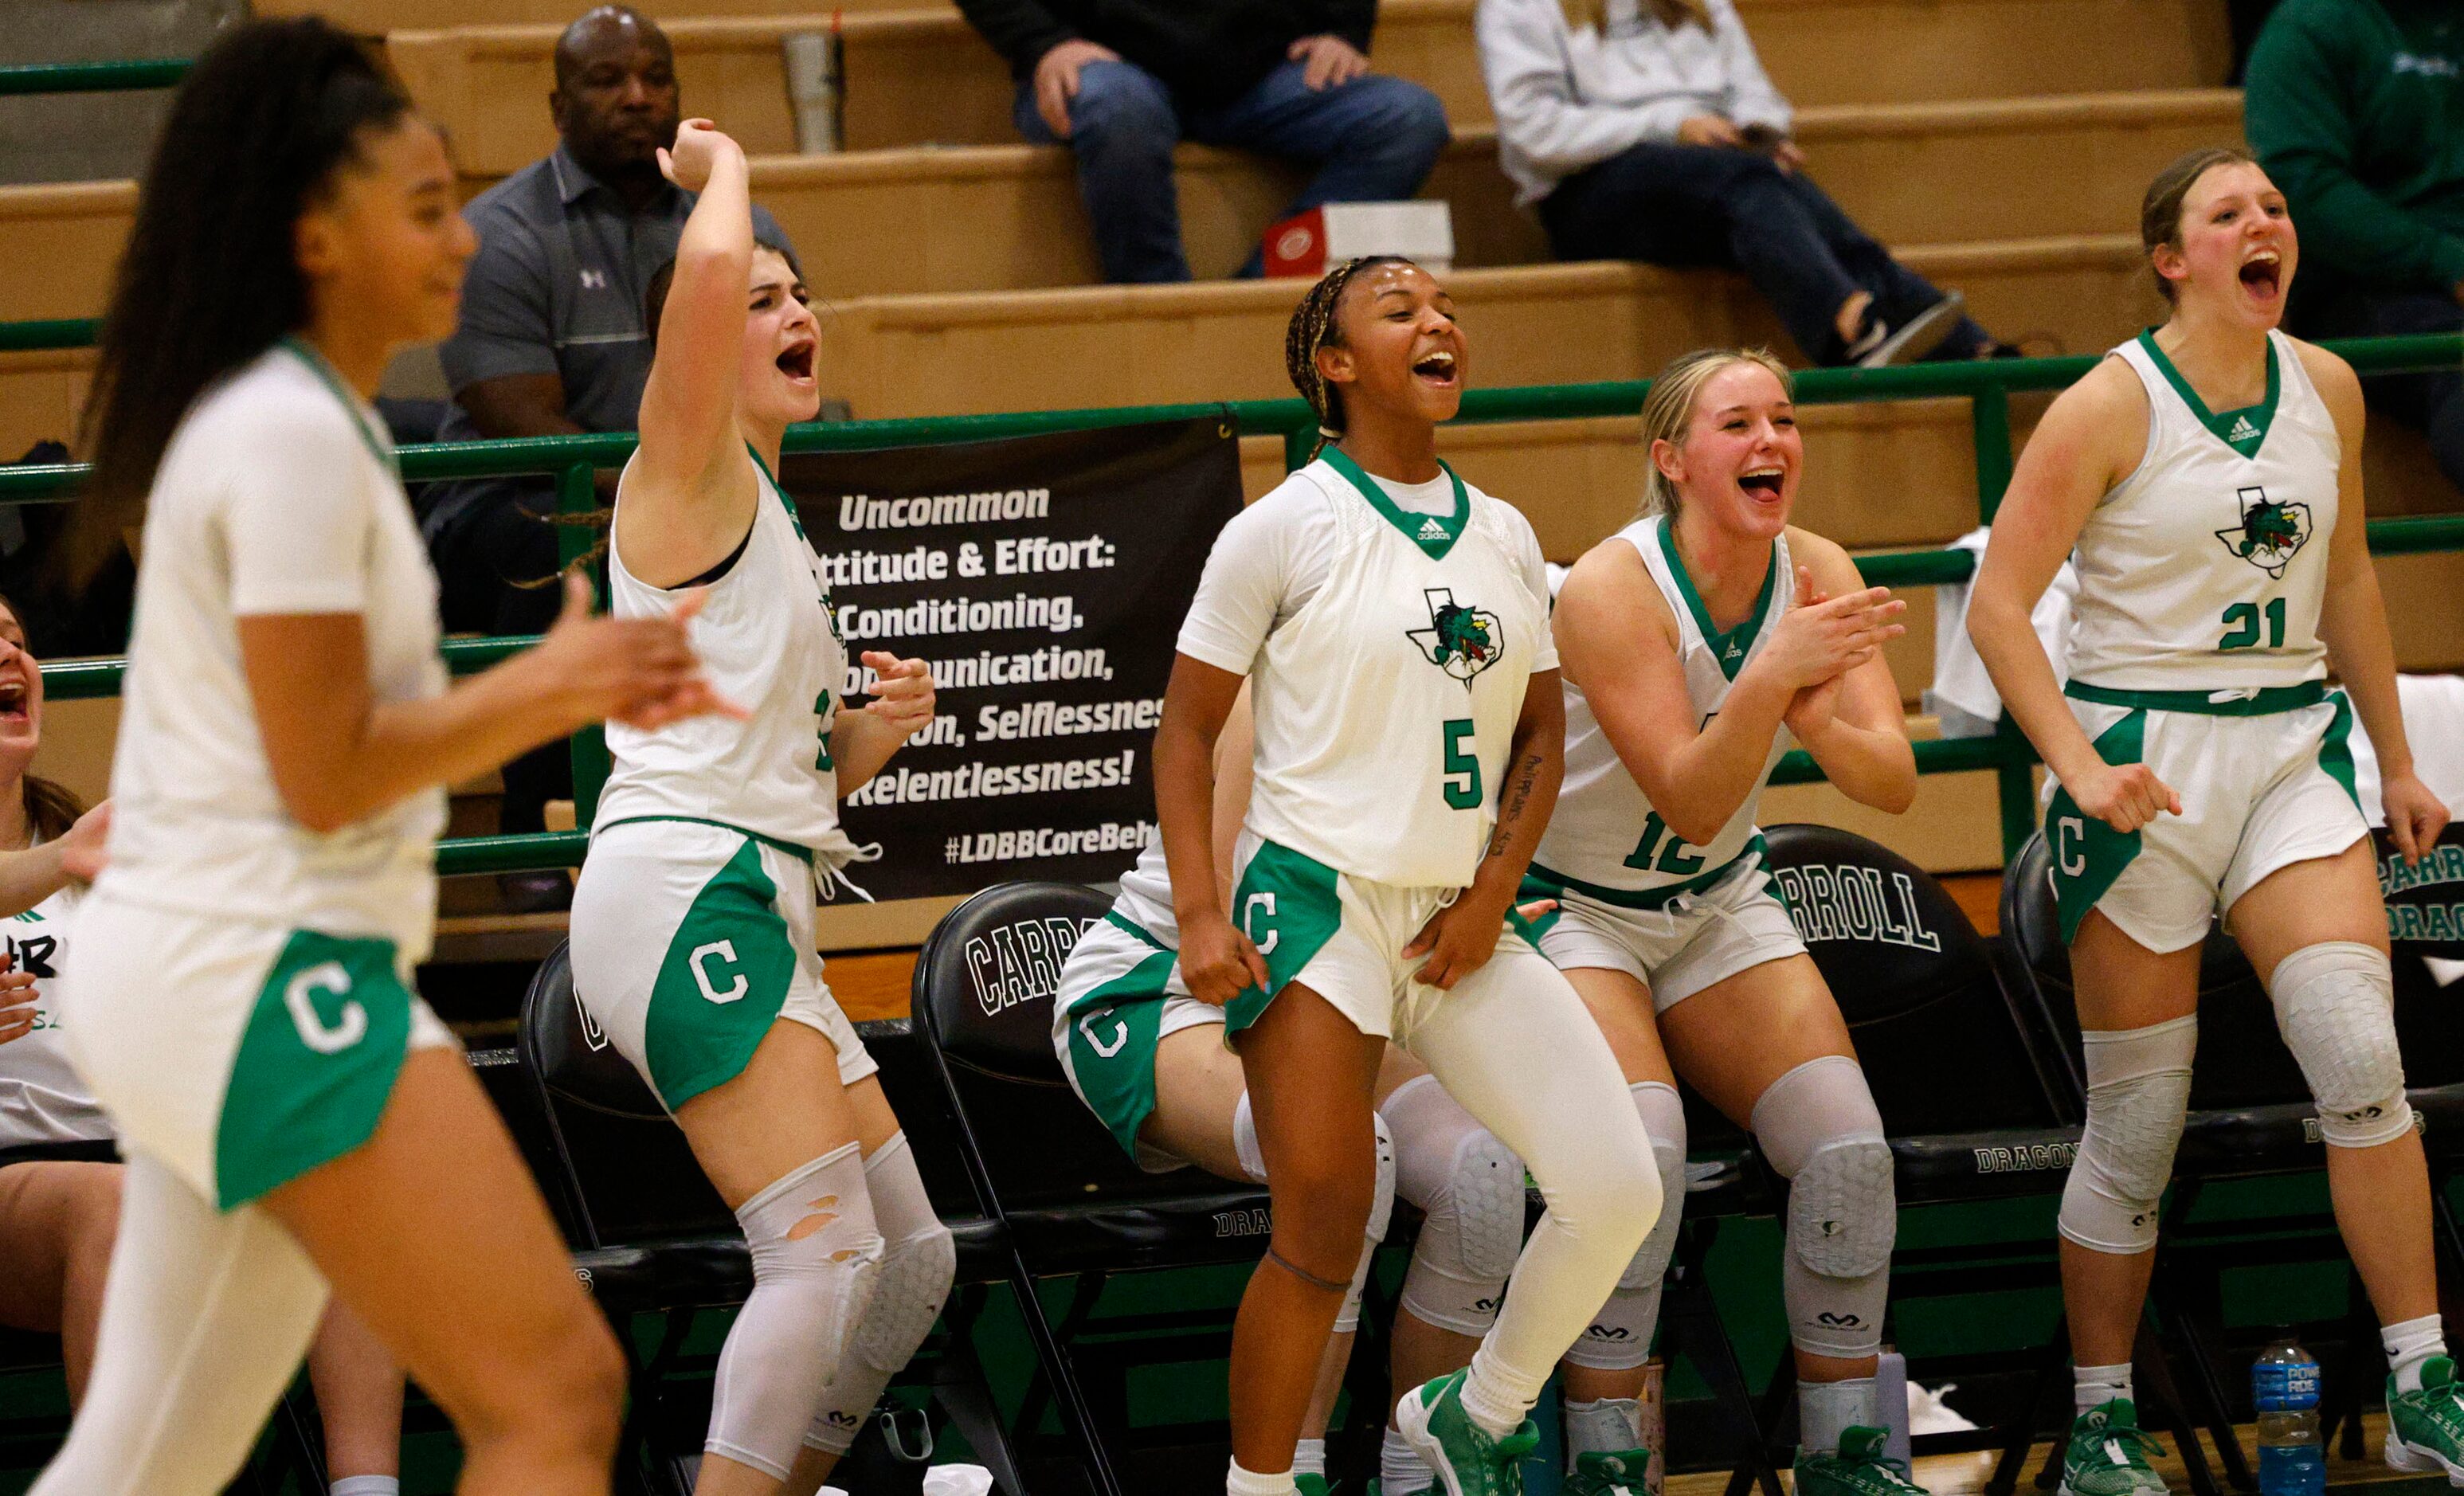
<point x="1470" y="1192"/>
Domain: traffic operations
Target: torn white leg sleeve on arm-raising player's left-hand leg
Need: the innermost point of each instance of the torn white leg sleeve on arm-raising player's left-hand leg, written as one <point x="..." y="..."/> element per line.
<point x="817" y="1258"/>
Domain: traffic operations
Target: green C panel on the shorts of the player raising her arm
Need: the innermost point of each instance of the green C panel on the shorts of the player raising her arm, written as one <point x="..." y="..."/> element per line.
<point x="721" y="985"/>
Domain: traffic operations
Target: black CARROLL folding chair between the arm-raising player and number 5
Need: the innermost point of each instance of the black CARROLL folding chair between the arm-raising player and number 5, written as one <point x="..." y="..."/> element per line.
<point x="1046" y="1169"/>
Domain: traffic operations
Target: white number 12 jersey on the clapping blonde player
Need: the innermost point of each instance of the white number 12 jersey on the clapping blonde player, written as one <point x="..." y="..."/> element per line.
<point x="1605" y="832"/>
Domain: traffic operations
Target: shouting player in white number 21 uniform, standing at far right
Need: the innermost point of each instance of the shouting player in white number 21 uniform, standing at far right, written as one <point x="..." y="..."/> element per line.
<point x="2209" y="477"/>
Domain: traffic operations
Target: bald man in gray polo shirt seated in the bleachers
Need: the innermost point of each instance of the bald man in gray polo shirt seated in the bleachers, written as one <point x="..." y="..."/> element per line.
<point x="553" y="341"/>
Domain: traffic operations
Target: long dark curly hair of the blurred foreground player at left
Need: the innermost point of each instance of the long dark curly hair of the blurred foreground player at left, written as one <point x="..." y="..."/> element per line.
<point x="211" y="277"/>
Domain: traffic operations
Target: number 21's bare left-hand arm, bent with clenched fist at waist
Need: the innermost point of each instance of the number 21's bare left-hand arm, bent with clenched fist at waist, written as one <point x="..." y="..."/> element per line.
<point x="2088" y="442"/>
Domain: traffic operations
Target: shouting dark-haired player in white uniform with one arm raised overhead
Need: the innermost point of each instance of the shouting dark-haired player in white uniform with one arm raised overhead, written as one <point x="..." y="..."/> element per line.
<point x="694" y="921"/>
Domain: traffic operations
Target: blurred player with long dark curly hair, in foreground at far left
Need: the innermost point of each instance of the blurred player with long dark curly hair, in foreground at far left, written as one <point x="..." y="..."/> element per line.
<point x="240" y="992"/>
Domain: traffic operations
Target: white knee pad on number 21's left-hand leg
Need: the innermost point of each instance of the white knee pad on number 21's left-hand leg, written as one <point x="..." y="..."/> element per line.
<point x="2138" y="1098"/>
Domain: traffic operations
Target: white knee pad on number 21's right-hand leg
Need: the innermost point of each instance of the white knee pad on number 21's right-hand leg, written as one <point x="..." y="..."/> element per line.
<point x="2337" y="1012"/>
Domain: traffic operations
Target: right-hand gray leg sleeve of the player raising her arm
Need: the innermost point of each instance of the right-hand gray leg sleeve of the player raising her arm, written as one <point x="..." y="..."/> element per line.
<point x="908" y="1293"/>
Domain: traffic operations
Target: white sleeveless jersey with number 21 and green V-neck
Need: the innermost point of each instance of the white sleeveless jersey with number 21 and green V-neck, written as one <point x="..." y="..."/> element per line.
<point x="2207" y="568"/>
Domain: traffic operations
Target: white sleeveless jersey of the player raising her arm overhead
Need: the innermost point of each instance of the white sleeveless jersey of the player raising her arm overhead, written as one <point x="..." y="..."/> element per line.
<point x="770" y="644"/>
